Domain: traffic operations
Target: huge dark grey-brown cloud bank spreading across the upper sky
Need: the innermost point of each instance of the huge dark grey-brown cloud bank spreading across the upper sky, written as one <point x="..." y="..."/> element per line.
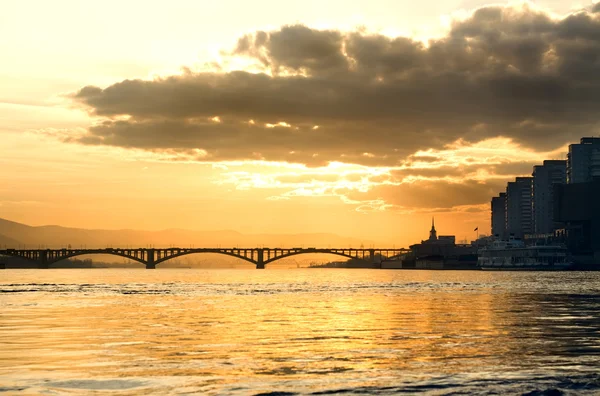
<point x="503" y="71"/>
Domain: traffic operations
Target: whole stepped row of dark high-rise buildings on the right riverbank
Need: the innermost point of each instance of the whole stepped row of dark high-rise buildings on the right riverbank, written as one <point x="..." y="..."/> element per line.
<point x="560" y="201"/>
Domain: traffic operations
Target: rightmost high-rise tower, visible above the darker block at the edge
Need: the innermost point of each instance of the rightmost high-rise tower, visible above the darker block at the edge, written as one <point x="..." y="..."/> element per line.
<point x="583" y="160"/>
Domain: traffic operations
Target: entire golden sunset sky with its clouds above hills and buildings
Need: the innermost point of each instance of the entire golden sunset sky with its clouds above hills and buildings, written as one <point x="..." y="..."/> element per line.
<point x="359" y="118"/>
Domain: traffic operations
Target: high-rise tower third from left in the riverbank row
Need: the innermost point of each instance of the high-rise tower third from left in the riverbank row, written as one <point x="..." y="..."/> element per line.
<point x="544" y="178"/>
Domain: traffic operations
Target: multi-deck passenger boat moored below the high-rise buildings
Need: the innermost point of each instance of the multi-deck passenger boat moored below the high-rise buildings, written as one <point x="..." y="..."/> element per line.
<point x="513" y="255"/>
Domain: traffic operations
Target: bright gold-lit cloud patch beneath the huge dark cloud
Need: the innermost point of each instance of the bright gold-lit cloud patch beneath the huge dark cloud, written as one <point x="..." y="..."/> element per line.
<point x="432" y="186"/>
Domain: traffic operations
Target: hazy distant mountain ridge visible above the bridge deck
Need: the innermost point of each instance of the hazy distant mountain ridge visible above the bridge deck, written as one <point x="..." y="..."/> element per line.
<point x="13" y="234"/>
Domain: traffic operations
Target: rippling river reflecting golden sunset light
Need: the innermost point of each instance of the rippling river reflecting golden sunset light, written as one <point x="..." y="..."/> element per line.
<point x="298" y="331"/>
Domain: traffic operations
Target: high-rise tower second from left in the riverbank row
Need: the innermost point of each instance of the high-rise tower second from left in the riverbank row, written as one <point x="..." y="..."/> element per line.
<point x="518" y="207"/>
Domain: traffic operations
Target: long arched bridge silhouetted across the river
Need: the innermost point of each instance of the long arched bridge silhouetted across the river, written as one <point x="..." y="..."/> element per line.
<point x="151" y="257"/>
